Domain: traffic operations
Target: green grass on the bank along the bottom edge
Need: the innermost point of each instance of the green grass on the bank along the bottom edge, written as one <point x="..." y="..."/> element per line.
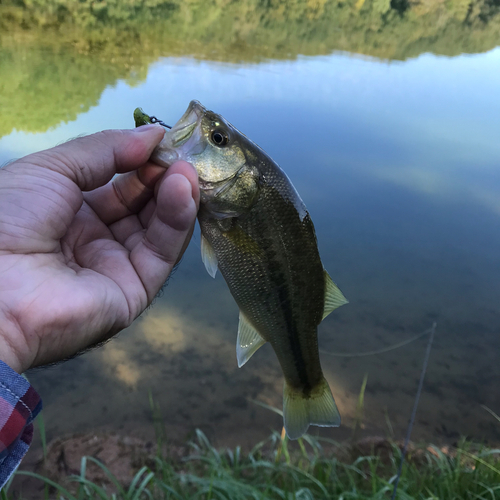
<point x="302" y="470"/>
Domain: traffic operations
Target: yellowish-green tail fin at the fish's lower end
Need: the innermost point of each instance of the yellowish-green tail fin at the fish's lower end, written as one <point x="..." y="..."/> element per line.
<point x="301" y="411"/>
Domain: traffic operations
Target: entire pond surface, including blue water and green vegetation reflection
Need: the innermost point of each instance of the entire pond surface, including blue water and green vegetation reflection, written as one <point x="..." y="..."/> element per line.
<point x="394" y="149"/>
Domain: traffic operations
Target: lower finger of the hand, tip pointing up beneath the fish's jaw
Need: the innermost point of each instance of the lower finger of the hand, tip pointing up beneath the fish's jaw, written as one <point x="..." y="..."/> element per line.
<point x="169" y="228"/>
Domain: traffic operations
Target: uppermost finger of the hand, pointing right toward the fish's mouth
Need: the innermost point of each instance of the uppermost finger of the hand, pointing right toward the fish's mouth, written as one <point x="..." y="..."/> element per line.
<point x="92" y="161"/>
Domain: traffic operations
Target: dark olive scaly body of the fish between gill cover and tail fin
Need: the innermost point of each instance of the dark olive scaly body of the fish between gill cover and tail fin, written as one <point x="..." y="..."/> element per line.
<point x="279" y="287"/>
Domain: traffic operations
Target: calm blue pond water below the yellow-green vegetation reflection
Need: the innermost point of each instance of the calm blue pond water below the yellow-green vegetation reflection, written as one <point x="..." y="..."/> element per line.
<point x="398" y="164"/>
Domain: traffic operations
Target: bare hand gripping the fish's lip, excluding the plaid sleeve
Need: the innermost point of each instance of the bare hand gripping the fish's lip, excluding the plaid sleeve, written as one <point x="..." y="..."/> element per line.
<point x="83" y="253"/>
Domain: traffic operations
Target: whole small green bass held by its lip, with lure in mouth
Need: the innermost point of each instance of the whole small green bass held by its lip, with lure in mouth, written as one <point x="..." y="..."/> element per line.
<point x="256" y="230"/>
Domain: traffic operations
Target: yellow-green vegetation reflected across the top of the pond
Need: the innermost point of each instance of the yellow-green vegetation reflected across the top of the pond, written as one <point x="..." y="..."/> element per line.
<point x="57" y="56"/>
